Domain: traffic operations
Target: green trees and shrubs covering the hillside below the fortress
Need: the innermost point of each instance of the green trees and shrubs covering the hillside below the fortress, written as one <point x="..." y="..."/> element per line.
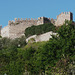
<point x="55" y="57"/>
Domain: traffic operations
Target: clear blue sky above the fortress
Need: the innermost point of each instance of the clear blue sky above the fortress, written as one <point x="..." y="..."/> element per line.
<point x="10" y="9"/>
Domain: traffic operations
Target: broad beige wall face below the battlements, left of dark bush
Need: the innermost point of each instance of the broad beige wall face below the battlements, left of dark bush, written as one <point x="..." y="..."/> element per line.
<point x="18" y="30"/>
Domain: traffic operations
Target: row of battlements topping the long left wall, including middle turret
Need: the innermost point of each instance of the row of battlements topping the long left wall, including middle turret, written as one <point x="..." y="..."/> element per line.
<point x="40" y="20"/>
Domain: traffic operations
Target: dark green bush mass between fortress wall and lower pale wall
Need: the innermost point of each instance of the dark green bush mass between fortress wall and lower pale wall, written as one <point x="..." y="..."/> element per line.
<point x="40" y="29"/>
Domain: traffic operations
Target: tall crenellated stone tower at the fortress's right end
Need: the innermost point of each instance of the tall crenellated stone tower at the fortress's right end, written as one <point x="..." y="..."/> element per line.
<point x="62" y="17"/>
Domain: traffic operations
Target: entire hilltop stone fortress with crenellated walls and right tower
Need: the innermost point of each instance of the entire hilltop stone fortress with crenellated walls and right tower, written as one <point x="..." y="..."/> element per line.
<point x="15" y="29"/>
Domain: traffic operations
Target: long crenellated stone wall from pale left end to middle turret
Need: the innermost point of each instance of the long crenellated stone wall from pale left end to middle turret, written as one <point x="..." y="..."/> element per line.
<point x="16" y="29"/>
